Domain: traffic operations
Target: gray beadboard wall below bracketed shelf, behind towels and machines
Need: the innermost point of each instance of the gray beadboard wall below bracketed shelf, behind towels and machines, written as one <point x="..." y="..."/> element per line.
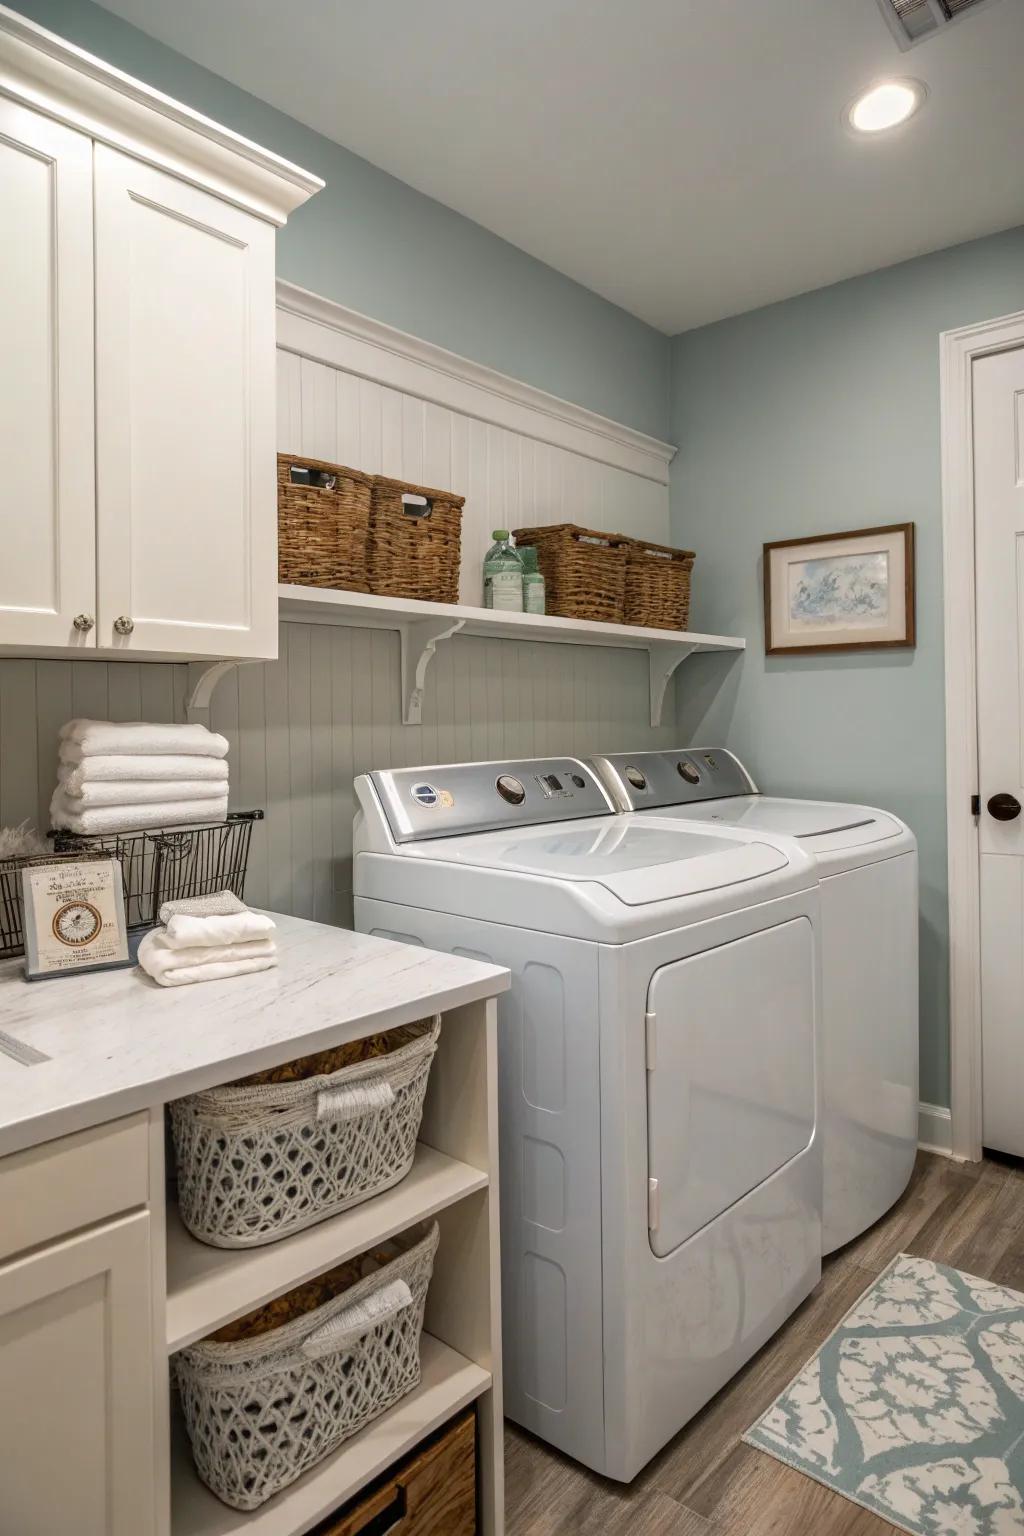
<point x="303" y="727"/>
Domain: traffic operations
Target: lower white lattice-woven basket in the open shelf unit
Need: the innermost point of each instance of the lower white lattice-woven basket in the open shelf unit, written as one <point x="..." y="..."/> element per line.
<point x="271" y="1395"/>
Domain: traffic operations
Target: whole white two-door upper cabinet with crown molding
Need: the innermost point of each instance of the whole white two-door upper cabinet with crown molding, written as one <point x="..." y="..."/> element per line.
<point x="140" y="518"/>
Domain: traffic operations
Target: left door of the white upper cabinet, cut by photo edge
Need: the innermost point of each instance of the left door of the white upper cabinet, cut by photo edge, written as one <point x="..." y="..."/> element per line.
<point x="47" y="428"/>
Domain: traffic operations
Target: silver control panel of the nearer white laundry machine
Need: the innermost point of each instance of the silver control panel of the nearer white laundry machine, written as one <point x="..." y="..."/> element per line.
<point x="480" y="798"/>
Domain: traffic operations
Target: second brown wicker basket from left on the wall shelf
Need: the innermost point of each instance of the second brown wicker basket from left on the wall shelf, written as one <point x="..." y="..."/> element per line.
<point x="415" y="537"/>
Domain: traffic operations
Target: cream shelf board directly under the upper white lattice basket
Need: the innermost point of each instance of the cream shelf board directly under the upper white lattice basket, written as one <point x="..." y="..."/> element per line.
<point x="208" y="1286"/>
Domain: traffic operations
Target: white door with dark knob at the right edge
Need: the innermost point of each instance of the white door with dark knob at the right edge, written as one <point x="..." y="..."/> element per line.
<point x="999" y="412"/>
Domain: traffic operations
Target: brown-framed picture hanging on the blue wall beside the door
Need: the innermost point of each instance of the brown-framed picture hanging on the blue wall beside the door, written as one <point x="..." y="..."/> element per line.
<point x="841" y="592"/>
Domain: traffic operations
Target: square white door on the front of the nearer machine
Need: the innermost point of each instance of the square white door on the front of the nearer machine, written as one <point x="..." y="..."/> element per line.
<point x="732" y="1076"/>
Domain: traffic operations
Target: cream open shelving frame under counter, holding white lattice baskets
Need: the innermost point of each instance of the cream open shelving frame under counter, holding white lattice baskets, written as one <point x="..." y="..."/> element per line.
<point x="451" y="1182"/>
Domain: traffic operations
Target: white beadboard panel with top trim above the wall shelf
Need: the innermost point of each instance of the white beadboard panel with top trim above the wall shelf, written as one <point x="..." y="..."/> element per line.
<point x="365" y="396"/>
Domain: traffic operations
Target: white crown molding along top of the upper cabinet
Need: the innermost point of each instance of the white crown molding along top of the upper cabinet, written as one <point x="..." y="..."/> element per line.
<point x="45" y="73"/>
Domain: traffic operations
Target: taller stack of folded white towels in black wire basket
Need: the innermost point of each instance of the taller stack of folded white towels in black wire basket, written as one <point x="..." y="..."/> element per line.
<point x="125" y="778"/>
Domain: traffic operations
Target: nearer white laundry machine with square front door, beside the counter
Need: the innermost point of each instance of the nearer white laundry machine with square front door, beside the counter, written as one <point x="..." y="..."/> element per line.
<point x="661" y="1173"/>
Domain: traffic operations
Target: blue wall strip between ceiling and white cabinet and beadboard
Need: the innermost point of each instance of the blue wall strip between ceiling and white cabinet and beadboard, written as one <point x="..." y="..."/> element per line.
<point x="382" y="248"/>
